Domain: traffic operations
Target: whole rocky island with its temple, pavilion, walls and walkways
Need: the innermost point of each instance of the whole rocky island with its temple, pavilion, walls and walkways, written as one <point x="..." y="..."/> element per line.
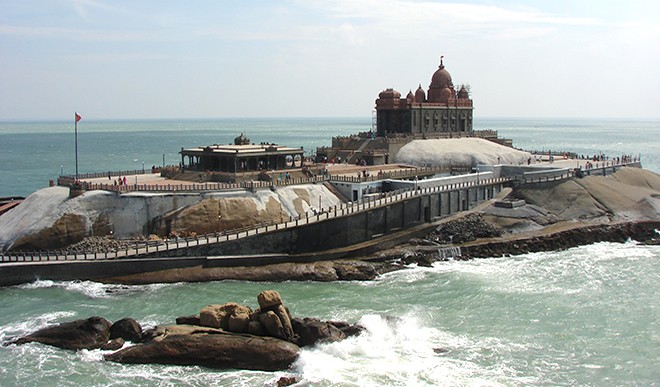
<point x="424" y="186"/>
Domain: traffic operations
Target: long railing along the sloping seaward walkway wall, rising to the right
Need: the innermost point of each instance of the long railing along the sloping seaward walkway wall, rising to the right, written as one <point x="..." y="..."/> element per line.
<point x="142" y="248"/>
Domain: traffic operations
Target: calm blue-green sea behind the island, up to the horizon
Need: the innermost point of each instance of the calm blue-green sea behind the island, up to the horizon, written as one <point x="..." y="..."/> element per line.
<point x="33" y="153"/>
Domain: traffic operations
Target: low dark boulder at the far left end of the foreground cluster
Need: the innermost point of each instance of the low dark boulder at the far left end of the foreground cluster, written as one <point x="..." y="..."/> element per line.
<point x="91" y="333"/>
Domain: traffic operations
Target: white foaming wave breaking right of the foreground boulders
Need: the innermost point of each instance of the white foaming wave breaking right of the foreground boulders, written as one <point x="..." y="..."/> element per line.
<point x="400" y="351"/>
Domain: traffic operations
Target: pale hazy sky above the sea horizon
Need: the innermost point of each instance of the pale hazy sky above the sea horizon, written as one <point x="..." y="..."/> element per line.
<point x="187" y="59"/>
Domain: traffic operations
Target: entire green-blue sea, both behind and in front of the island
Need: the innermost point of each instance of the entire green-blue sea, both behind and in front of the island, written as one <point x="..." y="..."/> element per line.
<point x="585" y="316"/>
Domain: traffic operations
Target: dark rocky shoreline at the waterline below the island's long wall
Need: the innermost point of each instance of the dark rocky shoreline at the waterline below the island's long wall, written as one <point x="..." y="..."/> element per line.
<point x="418" y="251"/>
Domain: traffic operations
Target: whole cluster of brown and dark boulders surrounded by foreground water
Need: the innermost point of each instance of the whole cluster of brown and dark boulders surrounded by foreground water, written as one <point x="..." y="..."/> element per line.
<point x="222" y="336"/>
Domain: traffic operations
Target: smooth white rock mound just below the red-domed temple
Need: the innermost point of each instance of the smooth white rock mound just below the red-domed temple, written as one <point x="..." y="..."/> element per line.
<point x="472" y="151"/>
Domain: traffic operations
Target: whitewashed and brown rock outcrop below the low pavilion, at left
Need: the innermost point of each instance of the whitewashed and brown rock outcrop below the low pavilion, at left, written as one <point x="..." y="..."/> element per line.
<point x="49" y="219"/>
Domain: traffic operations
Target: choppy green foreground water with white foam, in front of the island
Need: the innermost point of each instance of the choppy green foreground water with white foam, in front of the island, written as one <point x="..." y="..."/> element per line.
<point x="585" y="316"/>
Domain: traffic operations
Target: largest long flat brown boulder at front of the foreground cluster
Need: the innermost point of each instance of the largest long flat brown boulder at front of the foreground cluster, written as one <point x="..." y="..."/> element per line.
<point x="209" y="347"/>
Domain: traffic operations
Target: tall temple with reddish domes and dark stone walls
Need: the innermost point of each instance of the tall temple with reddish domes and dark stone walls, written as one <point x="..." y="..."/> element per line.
<point x="441" y="111"/>
